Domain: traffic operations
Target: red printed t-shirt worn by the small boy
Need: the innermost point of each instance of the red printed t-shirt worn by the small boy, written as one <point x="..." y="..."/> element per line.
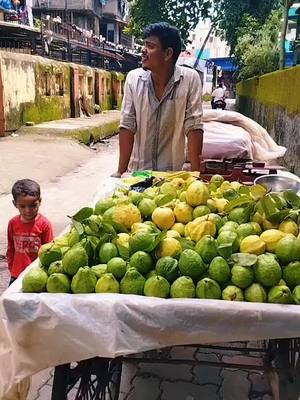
<point x="24" y="241"/>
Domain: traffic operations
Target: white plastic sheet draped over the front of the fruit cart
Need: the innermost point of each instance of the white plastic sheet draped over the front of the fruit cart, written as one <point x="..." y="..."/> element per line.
<point x="43" y="330"/>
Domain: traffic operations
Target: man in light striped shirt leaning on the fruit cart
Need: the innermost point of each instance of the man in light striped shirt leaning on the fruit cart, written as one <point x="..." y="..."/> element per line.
<point x="161" y="106"/>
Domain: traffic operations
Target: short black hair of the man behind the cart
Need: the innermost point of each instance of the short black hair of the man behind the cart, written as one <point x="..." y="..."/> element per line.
<point x="168" y="35"/>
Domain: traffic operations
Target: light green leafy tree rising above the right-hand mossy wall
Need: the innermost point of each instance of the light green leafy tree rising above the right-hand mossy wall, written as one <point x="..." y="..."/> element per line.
<point x="257" y="48"/>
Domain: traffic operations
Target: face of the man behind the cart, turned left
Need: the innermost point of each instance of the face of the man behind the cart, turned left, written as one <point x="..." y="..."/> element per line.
<point x="153" y="55"/>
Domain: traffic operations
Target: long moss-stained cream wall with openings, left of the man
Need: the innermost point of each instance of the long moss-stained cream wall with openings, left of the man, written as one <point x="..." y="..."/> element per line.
<point x="36" y="89"/>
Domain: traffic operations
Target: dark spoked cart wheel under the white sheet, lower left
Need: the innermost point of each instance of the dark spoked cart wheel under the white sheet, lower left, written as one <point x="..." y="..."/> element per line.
<point x="93" y="379"/>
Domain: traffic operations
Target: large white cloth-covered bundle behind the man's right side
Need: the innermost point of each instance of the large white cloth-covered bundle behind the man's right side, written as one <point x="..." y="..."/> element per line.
<point x="231" y="128"/>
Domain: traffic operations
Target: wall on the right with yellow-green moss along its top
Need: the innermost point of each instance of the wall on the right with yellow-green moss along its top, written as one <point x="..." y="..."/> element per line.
<point x="273" y="100"/>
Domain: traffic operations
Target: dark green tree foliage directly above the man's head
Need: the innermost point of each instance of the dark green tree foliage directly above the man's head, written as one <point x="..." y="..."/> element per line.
<point x="183" y="14"/>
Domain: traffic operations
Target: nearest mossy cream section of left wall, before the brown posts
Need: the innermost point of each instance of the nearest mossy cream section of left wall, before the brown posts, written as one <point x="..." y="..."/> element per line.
<point x="34" y="89"/>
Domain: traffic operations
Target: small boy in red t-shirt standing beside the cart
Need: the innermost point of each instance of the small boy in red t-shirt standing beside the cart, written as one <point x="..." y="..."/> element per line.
<point x="29" y="230"/>
